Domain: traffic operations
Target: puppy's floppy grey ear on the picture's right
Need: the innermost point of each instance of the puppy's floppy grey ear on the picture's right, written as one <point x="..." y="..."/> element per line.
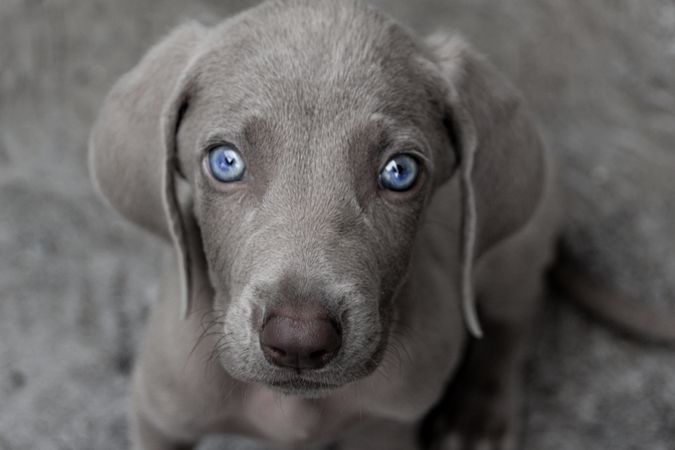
<point x="500" y="155"/>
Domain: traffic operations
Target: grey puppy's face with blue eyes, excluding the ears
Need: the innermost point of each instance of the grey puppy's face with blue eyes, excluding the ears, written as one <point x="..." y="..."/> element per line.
<point x="335" y="145"/>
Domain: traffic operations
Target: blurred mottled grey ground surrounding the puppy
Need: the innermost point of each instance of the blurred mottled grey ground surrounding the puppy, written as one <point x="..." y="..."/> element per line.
<point x="76" y="281"/>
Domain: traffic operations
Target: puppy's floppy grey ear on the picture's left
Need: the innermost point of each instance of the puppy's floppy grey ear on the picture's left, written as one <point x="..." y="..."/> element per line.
<point x="132" y="146"/>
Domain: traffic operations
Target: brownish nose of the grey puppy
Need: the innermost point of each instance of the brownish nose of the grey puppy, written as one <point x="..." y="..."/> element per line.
<point x="300" y="342"/>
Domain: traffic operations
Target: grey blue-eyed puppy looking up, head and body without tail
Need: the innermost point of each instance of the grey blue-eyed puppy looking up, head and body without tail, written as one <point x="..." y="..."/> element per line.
<point x="340" y="196"/>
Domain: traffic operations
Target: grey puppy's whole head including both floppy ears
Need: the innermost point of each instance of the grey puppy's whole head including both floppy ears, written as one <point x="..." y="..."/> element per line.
<point x="290" y="154"/>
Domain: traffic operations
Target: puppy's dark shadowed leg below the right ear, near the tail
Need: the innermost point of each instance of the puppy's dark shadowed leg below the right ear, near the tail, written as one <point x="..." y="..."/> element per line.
<point x="480" y="409"/>
